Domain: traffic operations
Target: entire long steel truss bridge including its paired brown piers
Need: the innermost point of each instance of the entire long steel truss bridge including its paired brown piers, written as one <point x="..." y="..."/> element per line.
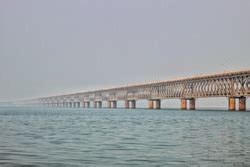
<point x="233" y="85"/>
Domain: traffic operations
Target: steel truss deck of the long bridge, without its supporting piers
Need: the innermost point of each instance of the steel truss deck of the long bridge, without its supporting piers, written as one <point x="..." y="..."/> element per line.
<point x="234" y="84"/>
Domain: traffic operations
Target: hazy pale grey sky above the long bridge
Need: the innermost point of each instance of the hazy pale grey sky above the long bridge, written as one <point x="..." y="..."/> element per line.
<point x="51" y="47"/>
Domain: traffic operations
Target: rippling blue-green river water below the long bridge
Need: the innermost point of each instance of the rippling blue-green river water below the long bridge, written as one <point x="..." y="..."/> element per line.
<point x="106" y="137"/>
